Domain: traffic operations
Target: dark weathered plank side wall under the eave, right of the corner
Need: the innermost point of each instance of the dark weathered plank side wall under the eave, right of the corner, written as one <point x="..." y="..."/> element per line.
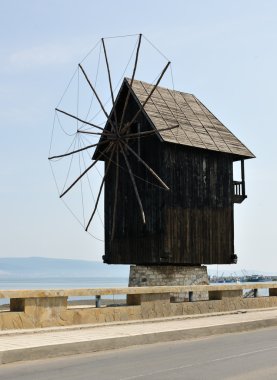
<point x="199" y="209"/>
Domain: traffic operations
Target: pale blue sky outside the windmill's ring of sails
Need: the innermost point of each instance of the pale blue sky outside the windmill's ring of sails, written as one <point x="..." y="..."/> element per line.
<point x="224" y="52"/>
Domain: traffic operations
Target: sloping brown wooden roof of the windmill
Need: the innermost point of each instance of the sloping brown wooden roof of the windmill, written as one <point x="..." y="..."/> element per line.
<point x="198" y="127"/>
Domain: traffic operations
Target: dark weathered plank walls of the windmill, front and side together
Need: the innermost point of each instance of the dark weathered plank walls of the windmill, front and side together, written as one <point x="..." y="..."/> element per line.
<point x="190" y="224"/>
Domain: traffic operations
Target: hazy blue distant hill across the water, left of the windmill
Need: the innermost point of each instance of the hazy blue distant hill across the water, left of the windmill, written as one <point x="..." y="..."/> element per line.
<point x="46" y="267"/>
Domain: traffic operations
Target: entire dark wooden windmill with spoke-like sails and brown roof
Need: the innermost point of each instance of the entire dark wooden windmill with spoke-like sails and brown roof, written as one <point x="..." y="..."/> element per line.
<point x="168" y="180"/>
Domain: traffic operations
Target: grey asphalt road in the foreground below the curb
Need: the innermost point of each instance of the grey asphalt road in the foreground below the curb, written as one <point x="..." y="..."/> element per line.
<point x="243" y="356"/>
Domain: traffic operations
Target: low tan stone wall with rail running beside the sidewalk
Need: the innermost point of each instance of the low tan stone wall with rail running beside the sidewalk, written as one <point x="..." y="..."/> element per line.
<point x="31" y="309"/>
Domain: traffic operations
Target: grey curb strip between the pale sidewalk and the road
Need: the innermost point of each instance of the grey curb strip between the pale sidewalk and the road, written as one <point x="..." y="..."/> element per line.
<point x="84" y="347"/>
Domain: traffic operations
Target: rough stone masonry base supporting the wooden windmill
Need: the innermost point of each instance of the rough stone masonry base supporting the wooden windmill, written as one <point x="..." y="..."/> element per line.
<point x="168" y="275"/>
